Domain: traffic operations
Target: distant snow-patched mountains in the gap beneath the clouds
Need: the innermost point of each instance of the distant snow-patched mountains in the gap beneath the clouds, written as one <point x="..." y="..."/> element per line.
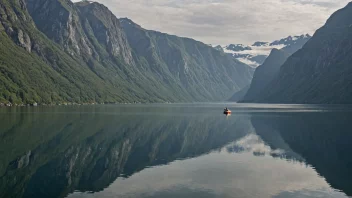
<point x="256" y="54"/>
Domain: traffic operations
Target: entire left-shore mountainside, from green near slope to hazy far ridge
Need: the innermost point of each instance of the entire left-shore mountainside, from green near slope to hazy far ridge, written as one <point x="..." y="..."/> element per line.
<point x="57" y="52"/>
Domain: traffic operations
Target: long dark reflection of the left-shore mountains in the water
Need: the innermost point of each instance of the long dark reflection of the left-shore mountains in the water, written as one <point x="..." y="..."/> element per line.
<point x="53" y="154"/>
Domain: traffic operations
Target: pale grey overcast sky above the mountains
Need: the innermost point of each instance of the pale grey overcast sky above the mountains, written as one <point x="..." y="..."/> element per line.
<point x="228" y="21"/>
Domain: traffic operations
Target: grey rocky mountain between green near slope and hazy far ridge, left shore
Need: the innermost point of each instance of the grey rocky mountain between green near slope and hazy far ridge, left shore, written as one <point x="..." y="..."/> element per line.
<point x="92" y="28"/>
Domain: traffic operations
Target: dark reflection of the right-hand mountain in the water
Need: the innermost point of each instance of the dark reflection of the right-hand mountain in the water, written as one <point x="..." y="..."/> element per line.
<point x="322" y="140"/>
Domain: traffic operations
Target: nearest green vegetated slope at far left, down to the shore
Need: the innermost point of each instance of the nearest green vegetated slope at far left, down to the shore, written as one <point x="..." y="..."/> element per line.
<point x="53" y="76"/>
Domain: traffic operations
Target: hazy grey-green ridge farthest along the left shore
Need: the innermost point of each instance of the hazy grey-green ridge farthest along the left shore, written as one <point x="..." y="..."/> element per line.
<point x="183" y="63"/>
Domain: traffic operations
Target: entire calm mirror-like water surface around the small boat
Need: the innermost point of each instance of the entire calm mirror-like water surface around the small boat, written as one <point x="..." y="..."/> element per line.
<point x="183" y="150"/>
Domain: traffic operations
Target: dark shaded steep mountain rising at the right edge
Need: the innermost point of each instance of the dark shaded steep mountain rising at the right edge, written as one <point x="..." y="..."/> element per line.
<point x="321" y="71"/>
